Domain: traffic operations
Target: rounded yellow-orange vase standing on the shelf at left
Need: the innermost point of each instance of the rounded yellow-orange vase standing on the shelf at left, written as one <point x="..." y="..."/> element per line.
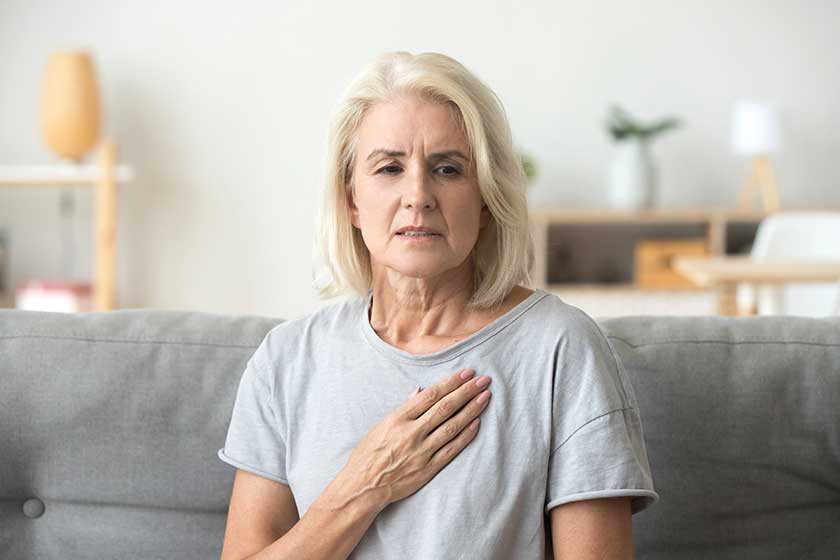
<point x="70" y="110"/>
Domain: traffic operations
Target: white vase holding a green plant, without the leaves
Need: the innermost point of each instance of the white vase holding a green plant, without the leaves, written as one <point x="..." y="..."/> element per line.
<point x="632" y="176"/>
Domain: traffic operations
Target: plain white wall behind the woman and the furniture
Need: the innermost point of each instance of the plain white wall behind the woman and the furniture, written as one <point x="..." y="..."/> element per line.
<point x="223" y="109"/>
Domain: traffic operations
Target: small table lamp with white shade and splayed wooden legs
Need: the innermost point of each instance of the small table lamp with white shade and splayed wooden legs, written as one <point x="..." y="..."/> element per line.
<point x="756" y="133"/>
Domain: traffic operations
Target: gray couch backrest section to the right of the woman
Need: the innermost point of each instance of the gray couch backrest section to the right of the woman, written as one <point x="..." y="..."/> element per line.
<point x="742" y="427"/>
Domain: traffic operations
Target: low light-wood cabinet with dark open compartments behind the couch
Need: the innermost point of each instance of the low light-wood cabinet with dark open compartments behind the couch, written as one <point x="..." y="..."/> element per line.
<point x="604" y="249"/>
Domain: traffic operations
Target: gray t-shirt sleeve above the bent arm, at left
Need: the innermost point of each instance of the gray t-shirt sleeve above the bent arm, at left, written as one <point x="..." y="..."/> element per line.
<point x="255" y="439"/>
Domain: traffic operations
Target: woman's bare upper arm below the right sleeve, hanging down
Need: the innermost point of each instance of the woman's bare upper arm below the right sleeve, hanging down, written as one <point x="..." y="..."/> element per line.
<point x="593" y="529"/>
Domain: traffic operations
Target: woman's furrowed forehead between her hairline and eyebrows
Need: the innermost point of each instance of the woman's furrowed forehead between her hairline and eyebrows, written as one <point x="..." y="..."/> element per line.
<point x="403" y="122"/>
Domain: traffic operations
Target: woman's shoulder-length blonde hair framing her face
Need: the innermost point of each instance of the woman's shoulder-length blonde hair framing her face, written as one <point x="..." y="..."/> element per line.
<point x="504" y="253"/>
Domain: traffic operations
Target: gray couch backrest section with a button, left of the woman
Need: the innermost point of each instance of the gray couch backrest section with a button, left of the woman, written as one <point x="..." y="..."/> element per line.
<point x="112" y="422"/>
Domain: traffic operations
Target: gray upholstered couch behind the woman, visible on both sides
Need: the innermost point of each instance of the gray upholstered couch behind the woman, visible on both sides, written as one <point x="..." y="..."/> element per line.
<point x="110" y="423"/>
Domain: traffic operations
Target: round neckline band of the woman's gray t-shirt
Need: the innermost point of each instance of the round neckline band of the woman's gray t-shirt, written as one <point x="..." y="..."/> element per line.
<point x="452" y="351"/>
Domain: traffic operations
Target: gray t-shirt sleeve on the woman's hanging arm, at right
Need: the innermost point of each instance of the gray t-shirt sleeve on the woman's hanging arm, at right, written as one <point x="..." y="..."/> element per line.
<point x="597" y="442"/>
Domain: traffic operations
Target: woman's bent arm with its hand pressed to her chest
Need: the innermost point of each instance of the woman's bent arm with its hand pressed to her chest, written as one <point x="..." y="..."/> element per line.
<point x="397" y="456"/>
